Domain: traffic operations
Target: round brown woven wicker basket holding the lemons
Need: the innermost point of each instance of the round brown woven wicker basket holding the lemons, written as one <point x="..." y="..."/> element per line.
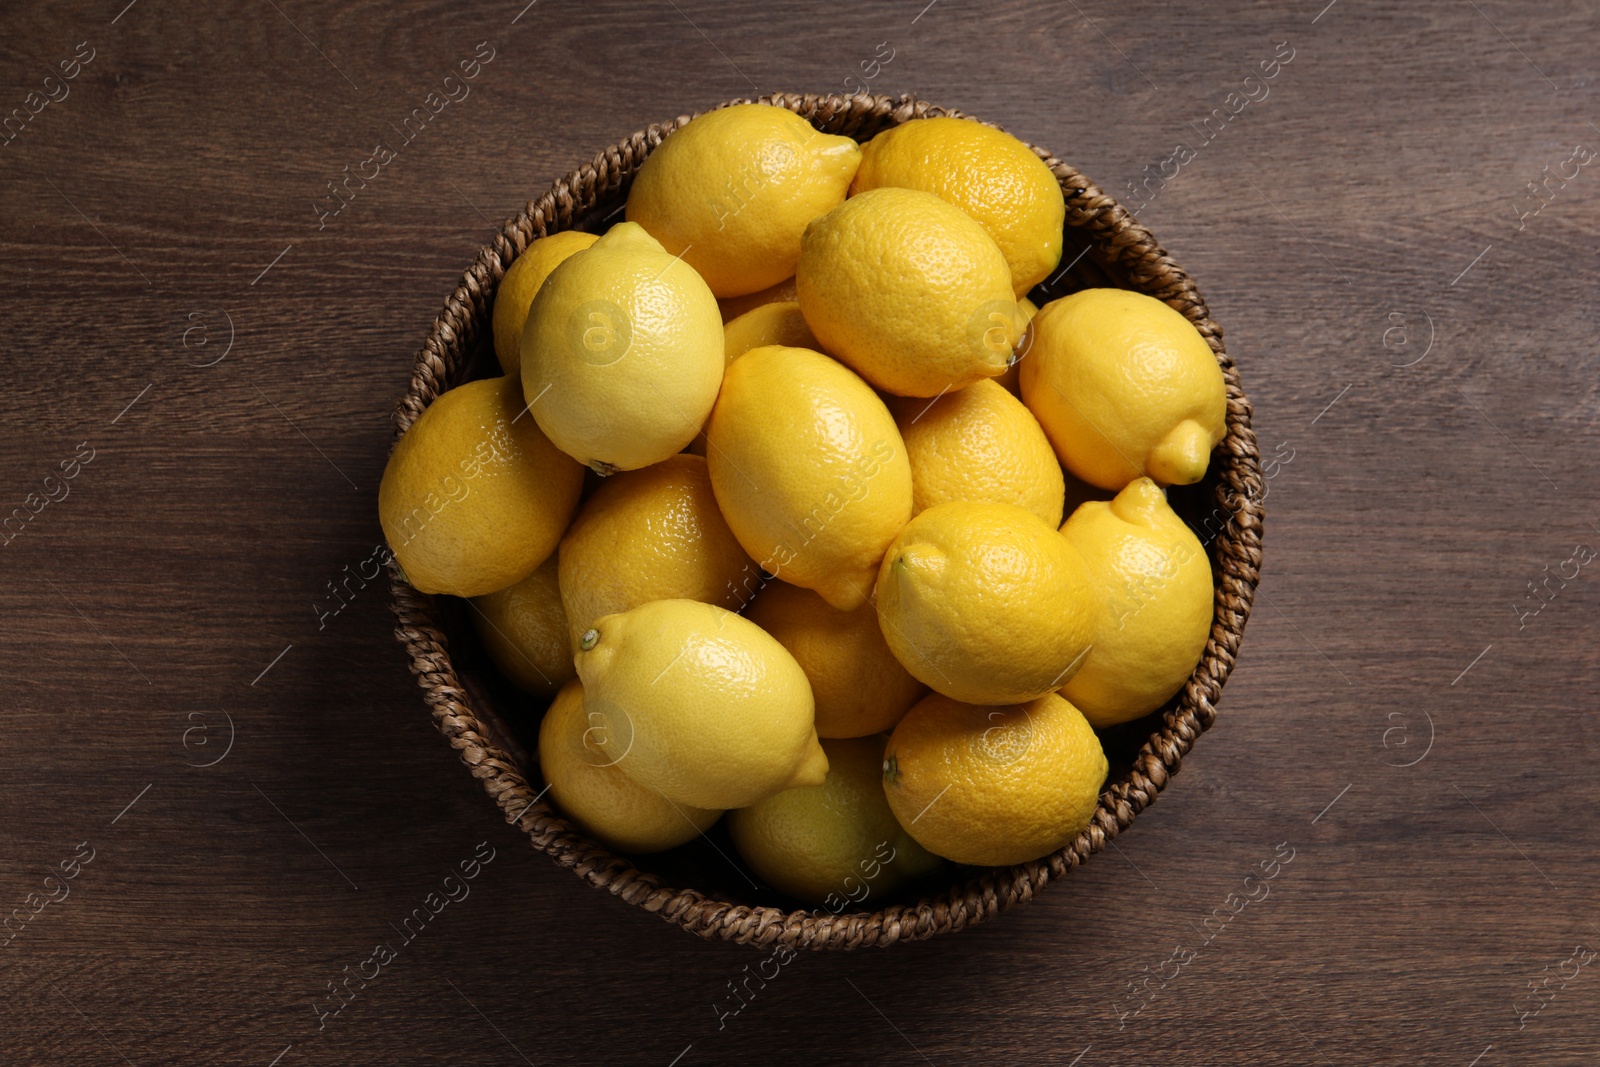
<point x="1225" y="510"/>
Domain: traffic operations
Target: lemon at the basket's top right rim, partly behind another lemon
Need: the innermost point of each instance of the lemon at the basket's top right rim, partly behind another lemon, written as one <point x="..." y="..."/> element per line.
<point x="986" y="174"/>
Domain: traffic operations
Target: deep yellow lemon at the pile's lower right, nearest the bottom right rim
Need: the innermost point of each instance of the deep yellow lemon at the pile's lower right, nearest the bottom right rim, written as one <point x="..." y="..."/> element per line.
<point x="994" y="786"/>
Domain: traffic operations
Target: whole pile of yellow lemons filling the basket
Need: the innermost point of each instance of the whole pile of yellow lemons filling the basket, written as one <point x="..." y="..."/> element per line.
<point x="769" y="505"/>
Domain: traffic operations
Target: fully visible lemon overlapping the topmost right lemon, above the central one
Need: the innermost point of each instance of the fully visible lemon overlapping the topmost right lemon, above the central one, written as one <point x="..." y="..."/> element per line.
<point x="910" y="292"/>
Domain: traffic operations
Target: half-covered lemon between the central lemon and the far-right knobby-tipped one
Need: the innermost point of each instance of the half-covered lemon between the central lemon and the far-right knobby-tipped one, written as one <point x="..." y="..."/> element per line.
<point x="980" y="444"/>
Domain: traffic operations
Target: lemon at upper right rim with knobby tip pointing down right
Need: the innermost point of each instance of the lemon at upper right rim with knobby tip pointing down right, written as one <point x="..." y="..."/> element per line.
<point x="1124" y="388"/>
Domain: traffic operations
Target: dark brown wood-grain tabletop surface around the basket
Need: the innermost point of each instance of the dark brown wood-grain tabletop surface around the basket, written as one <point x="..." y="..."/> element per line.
<point x="1409" y="716"/>
